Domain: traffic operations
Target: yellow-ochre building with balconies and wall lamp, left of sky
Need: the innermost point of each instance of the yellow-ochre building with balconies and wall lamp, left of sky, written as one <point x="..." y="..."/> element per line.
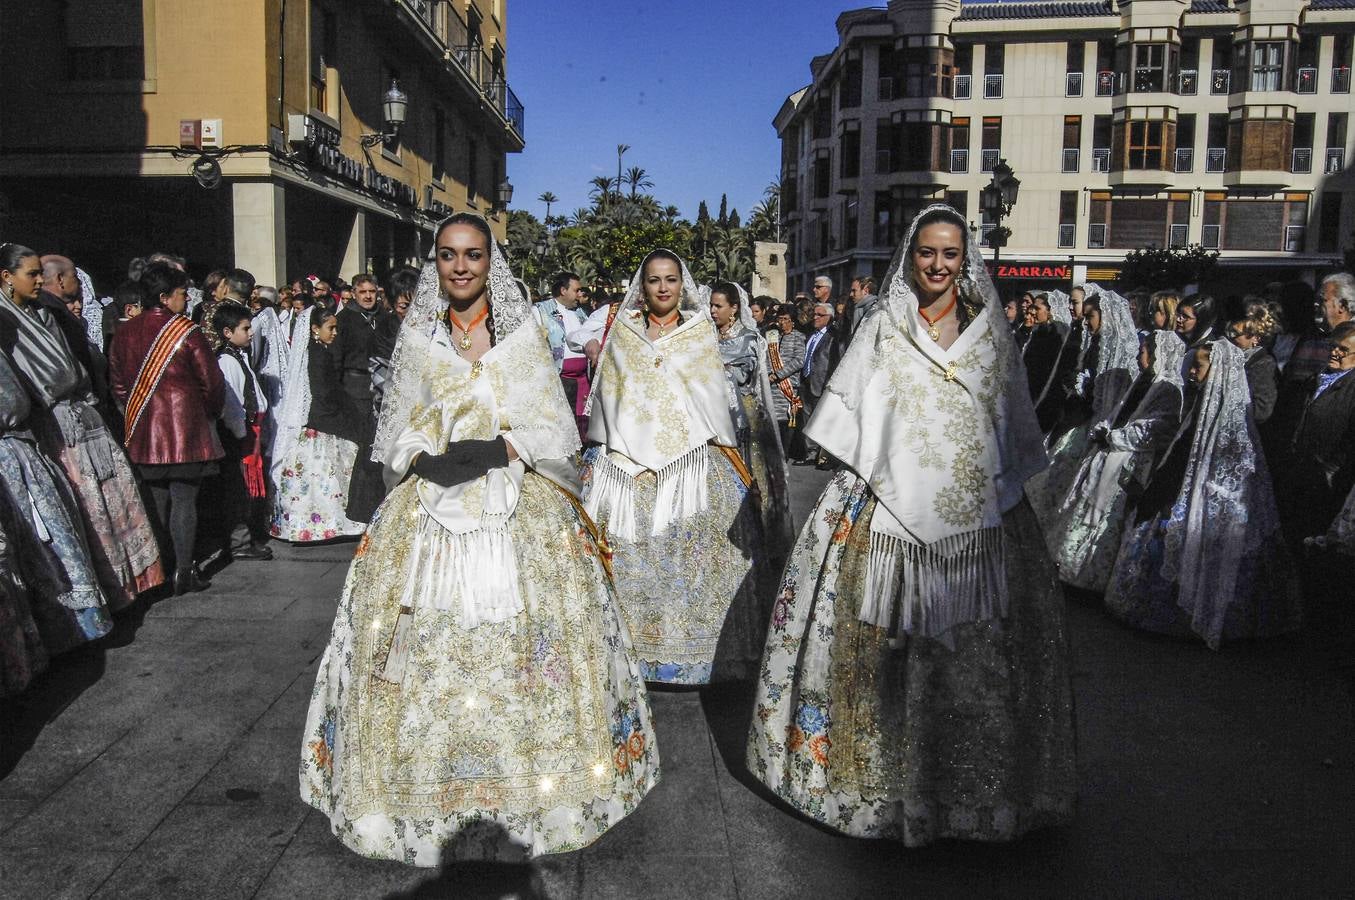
<point x="251" y="132"/>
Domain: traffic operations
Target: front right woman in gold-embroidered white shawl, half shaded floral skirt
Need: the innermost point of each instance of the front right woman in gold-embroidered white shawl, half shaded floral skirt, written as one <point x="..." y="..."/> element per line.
<point x="915" y="681"/>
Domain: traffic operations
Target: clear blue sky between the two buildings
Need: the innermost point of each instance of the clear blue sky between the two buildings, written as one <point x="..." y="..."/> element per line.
<point x="692" y="87"/>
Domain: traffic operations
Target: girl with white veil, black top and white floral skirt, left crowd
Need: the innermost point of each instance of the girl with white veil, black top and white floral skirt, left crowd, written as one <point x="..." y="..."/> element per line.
<point x="319" y="433"/>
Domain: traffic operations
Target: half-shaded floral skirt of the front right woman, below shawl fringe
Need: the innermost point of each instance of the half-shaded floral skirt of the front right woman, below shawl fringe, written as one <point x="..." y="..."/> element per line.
<point x="914" y="742"/>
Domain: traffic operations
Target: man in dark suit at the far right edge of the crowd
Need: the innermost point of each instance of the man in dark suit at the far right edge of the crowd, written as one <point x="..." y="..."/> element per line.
<point x="1325" y="444"/>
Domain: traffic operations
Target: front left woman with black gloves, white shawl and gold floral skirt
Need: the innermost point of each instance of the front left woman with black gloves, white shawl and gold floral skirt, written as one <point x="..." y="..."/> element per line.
<point x="479" y="670"/>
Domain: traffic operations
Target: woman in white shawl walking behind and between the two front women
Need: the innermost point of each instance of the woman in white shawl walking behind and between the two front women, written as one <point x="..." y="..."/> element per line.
<point x="669" y="485"/>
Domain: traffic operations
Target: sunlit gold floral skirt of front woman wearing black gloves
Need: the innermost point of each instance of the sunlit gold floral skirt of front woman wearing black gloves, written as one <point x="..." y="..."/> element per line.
<point x="535" y="731"/>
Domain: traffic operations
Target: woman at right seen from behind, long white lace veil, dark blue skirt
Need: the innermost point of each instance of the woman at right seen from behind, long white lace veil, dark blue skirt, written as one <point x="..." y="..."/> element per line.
<point x="1203" y="554"/>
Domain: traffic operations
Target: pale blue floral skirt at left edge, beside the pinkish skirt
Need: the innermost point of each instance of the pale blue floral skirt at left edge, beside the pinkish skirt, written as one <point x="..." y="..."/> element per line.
<point x="52" y="556"/>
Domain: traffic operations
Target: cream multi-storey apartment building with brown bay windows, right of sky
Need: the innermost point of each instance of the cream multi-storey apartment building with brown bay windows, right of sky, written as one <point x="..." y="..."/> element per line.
<point x="1131" y="124"/>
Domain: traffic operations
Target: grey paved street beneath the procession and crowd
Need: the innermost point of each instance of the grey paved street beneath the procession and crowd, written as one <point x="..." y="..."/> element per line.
<point x="165" y="765"/>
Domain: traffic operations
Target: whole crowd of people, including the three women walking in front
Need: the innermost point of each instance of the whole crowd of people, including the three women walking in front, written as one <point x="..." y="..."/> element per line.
<point x="563" y="502"/>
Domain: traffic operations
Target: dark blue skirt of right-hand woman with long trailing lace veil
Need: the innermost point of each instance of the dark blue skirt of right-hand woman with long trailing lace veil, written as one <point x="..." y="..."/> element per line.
<point x="1265" y="604"/>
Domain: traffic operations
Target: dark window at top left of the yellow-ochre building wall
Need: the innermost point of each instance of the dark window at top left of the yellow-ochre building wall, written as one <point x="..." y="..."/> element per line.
<point x="105" y="41"/>
